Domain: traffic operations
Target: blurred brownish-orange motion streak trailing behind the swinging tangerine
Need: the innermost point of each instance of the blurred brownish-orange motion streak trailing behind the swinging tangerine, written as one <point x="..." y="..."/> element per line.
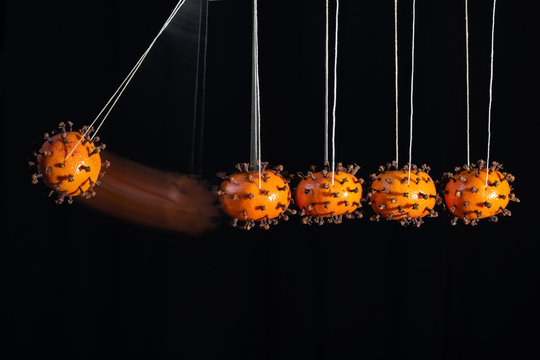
<point x="155" y="198"/>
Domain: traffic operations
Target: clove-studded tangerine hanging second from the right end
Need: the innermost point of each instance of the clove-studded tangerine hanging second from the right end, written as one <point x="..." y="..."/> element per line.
<point x="395" y="196"/>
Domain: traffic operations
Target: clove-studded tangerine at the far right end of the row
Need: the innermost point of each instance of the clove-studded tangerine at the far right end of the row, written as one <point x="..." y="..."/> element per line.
<point x="469" y="198"/>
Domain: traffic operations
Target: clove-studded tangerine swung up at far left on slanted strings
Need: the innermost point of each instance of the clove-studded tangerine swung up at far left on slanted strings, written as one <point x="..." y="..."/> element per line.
<point x="73" y="175"/>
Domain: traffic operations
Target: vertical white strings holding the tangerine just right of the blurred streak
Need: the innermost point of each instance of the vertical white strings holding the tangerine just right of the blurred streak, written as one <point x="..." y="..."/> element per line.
<point x="256" y="99"/>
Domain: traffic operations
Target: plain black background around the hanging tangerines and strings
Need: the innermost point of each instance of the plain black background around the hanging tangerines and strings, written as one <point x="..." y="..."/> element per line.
<point x="79" y="284"/>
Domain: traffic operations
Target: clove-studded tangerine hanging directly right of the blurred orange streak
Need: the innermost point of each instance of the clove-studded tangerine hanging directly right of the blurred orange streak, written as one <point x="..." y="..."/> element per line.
<point x="250" y="196"/>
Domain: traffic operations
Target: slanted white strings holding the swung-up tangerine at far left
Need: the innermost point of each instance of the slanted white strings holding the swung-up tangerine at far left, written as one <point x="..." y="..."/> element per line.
<point x="120" y="90"/>
